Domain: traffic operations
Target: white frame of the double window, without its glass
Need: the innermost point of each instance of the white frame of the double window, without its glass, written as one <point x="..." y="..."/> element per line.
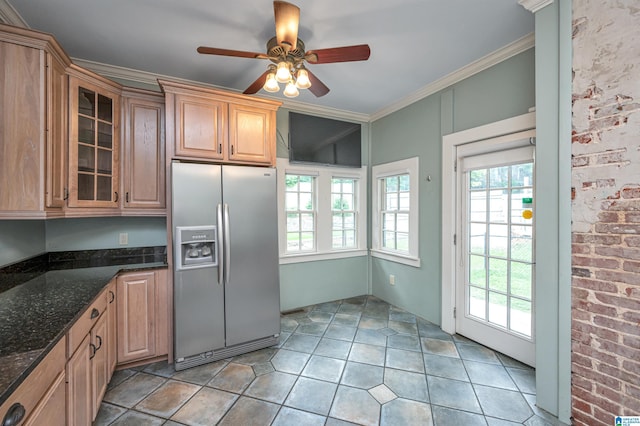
<point x="324" y="213"/>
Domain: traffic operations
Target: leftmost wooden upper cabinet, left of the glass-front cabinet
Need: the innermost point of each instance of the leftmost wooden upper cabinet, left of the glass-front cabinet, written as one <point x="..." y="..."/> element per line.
<point x="32" y="123"/>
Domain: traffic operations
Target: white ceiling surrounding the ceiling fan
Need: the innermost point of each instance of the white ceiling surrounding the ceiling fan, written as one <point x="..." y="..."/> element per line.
<point x="413" y="42"/>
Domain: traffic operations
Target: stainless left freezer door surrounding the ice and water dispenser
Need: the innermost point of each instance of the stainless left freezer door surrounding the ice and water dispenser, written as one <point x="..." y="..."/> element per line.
<point x="198" y="295"/>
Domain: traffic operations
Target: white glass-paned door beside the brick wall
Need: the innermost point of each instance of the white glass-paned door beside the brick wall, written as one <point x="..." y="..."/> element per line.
<point x="496" y="277"/>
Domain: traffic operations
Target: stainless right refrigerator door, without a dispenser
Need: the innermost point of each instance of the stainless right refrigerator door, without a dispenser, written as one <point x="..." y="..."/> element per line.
<point x="252" y="291"/>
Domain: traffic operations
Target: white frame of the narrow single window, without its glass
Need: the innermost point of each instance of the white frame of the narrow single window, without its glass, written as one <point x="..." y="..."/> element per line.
<point x="408" y="166"/>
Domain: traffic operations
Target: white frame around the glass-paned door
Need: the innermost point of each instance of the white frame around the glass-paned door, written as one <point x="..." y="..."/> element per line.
<point x="449" y="148"/>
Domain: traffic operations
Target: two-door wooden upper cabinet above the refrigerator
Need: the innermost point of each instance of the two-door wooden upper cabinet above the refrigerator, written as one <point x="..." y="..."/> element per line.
<point x="209" y="124"/>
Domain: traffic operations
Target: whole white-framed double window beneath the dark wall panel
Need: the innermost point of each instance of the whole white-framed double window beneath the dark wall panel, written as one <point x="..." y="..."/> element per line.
<point x="322" y="212"/>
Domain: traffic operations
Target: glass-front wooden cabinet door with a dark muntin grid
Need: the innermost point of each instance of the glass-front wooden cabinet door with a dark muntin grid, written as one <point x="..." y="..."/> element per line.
<point x="94" y="145"/>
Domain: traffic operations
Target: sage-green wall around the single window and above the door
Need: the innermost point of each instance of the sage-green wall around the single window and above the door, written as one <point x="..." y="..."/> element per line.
<point x="502" y="91"/>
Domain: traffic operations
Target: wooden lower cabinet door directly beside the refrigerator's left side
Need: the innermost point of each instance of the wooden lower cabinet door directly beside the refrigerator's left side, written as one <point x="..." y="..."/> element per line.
<point x="142" y="315"/>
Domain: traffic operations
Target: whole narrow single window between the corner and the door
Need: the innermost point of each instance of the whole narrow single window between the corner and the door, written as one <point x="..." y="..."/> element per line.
<point x="395" y="211"/>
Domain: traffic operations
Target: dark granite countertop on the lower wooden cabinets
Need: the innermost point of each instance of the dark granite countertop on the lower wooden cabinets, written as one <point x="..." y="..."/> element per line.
<point x="36" y="314"/>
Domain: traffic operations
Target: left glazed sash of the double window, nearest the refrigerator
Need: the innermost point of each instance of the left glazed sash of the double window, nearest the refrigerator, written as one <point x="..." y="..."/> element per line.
<point x="301" y="213"/>
